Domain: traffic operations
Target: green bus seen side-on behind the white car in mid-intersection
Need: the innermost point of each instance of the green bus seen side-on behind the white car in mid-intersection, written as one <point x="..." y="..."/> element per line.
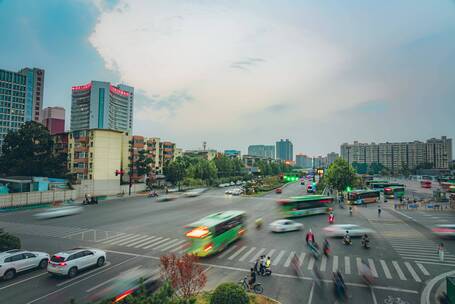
<point x="305" y="205"/>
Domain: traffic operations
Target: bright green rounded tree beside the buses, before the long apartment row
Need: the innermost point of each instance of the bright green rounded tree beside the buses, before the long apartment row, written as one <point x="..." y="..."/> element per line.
<point x="340" y="175"/>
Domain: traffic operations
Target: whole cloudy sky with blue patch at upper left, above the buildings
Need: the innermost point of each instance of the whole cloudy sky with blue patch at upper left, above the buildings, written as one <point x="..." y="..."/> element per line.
<point x="234" y="73"/>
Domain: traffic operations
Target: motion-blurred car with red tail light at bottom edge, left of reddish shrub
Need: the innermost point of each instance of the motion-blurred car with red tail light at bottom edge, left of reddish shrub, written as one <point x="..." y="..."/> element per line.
<point x="129" y="283"/>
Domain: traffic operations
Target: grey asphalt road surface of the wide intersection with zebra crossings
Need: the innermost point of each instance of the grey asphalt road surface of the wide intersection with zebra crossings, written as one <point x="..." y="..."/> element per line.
<point x="137" y="231"/>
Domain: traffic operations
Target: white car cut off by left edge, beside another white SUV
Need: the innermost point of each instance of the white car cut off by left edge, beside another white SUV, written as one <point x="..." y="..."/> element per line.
<point x="17" y="260"/>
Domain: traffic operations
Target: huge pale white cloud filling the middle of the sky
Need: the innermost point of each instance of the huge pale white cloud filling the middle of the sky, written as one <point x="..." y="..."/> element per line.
<point x="205" y="67"/>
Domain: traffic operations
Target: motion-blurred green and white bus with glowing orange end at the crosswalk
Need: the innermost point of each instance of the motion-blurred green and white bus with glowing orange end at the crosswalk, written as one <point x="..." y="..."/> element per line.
<point x="215" y="232"/>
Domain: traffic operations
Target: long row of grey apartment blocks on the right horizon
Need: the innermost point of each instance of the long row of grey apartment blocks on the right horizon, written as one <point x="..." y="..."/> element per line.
<point x="435" y="152"/>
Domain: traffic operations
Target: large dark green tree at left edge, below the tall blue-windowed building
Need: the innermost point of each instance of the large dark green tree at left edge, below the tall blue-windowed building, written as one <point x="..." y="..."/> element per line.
<point x="28" y="152"/>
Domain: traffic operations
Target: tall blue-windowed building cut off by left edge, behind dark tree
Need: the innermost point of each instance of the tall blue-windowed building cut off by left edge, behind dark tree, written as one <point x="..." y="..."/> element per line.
<point x="21" y="98"/>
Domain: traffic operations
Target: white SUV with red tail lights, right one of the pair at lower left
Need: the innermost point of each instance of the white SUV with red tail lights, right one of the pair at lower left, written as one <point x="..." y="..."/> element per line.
<point x="69" y="263"/>
